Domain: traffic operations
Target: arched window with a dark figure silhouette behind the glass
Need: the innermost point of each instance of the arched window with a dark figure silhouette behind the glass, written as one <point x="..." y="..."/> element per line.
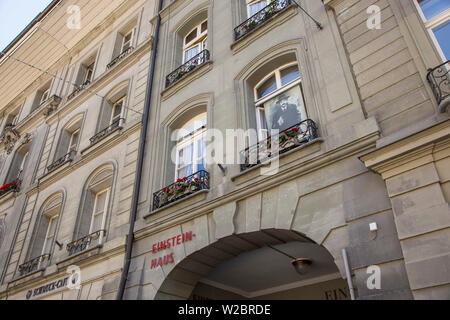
<point x="279" y="100"/>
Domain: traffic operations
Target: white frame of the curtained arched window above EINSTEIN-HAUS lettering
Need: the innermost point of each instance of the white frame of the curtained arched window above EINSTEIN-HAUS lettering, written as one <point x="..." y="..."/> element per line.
<point x="192" y="138"/>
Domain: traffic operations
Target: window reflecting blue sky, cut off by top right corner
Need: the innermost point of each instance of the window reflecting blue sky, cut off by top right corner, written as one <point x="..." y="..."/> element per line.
<point x="436" y="16"/>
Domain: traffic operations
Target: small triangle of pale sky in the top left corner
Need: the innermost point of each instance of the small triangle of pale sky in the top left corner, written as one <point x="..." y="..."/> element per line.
<point x="15" y="15"/>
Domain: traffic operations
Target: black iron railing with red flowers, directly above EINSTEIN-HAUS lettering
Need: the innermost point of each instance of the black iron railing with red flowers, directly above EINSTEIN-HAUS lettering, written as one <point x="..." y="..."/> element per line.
<point x="181" y="189"/>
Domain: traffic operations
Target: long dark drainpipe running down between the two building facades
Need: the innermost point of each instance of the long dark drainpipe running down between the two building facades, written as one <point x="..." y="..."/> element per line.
<point x="137" y="182"/>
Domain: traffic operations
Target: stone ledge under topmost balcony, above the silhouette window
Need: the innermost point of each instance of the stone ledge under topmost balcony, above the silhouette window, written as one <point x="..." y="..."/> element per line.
<point x="261" y="30"/>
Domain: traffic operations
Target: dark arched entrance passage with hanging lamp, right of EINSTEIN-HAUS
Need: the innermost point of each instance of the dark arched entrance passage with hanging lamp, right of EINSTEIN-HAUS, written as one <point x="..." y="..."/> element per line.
<point x="256" y="266"/>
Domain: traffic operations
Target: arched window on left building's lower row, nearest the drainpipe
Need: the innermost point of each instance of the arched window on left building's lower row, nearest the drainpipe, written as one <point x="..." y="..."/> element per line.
<point x="95" y="206"/>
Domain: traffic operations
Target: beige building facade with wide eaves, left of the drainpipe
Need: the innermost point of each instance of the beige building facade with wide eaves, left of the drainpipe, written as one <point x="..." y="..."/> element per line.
<point x="70" y="126"/>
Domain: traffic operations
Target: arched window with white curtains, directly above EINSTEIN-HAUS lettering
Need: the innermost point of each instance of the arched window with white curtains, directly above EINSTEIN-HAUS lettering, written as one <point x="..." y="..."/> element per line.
<point x="191" y="147"/>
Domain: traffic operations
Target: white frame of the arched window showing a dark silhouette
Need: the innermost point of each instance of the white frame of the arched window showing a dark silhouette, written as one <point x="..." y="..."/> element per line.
<point x="259" y="102"/>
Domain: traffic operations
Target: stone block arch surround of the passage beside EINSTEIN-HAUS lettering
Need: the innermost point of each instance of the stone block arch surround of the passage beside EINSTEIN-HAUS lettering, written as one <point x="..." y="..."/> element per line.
<point x="271" y="217"/>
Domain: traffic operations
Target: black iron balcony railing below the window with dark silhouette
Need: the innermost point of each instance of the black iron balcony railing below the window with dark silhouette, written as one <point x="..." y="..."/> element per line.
<point x="289" y="139"/>
